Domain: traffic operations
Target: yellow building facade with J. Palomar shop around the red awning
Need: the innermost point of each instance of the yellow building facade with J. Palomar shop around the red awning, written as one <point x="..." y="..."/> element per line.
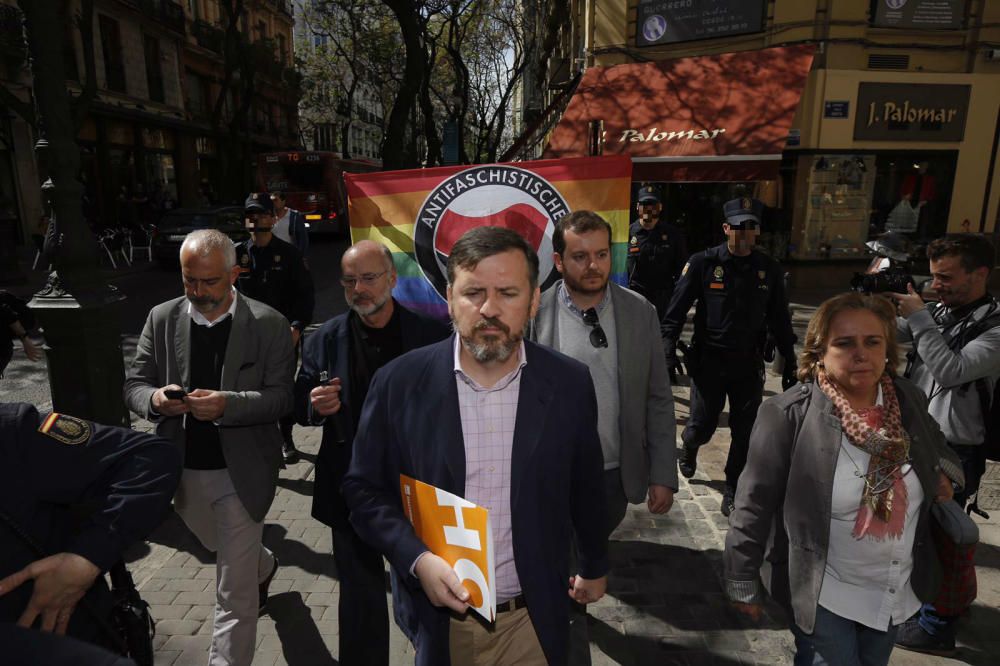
<point x="896" y="128"/>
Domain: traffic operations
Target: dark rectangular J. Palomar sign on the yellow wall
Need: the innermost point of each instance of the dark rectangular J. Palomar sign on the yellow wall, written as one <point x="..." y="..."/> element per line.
<point x="911" y="112"/>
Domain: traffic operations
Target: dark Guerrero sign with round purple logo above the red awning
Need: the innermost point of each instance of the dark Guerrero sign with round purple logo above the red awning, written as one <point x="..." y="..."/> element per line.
<point x="671" y="21"/>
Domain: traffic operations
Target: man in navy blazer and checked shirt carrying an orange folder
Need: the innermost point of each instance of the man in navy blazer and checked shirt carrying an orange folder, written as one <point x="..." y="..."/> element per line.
<point x="432" y="414"/>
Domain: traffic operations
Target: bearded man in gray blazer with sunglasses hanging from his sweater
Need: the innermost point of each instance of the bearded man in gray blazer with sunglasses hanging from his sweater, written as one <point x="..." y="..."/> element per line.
<point x="615" y="332"/>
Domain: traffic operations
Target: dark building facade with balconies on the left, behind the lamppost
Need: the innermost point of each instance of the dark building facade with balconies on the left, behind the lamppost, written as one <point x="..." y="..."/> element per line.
<point x="153" y="134"/>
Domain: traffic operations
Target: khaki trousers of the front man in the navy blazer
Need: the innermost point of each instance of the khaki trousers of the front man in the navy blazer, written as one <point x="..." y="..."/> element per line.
<point x="511" y="641"/>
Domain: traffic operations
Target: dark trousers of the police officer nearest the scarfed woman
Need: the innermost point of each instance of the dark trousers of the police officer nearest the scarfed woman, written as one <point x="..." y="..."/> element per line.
<point x="718" y="377"/>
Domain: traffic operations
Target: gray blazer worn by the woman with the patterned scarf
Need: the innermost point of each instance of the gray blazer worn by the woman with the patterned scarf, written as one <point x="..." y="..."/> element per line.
<point x="793" y="454"/>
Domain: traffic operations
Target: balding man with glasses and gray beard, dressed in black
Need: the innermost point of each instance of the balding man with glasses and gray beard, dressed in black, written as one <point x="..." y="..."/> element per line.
<point x="338" y="363"/>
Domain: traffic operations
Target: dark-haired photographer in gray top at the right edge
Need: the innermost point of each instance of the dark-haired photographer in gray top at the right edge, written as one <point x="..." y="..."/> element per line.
<point x="956" y="353"/>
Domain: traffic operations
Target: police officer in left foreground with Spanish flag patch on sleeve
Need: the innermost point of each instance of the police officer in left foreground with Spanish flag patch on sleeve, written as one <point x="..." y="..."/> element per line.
<point x="73" y="496"/>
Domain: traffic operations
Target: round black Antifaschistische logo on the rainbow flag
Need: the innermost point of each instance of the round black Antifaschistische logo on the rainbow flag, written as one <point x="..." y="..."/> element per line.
<point x="492" y="195"/>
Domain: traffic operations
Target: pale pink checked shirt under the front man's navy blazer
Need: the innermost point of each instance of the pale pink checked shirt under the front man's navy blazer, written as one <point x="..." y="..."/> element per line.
<point x="488" y="417"/>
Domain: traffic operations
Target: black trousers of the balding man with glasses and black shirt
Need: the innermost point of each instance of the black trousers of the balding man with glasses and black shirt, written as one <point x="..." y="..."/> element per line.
<point x="363" y="609"/>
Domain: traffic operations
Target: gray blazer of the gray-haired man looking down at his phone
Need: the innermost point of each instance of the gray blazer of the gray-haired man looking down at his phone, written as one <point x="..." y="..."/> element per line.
<point x="256" y="378"/>
